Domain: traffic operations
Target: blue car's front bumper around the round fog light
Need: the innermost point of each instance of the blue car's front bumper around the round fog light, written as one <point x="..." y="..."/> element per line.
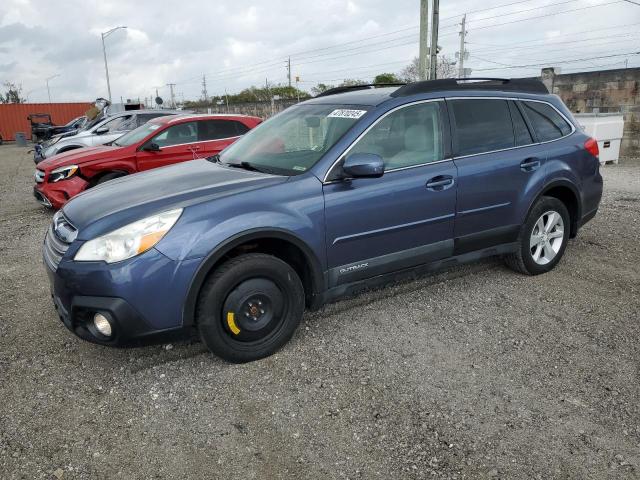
<point x="142" y="298"/>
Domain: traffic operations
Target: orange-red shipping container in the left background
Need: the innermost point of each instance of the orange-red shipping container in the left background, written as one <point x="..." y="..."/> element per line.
<point x="13" y="116"/>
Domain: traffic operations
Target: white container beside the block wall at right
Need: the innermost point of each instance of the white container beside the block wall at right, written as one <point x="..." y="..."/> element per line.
<point x="607" y="129"/>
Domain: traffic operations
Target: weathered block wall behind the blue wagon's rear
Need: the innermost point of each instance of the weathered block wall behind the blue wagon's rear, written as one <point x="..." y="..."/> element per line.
<point x="604" y="91"/>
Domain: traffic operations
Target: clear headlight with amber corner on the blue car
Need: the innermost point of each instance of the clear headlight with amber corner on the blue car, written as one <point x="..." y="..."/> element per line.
<point x="130" y="240"/>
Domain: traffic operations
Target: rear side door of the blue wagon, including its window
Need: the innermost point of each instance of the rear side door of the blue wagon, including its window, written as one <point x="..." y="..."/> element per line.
<point x="498" y="167"/>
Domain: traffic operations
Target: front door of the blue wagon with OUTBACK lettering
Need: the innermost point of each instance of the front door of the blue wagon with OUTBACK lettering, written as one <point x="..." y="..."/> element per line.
<point x="404" y="218"/>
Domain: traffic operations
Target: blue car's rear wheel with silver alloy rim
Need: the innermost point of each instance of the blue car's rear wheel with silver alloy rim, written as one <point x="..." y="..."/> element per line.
<point x="540" y="252"/>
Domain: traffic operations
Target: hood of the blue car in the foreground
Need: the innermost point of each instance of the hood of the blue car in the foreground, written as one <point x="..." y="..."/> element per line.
<point x="127" y="199"/>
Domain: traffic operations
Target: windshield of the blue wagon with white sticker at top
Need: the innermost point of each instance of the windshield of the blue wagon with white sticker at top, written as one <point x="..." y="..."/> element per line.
<point x="293" y="141"/>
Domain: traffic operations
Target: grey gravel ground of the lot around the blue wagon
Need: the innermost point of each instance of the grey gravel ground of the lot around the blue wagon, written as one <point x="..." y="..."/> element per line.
<point x="476" y="372"/>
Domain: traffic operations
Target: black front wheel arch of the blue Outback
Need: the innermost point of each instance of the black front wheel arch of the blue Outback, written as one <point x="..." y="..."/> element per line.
<point x="280" y="243"/>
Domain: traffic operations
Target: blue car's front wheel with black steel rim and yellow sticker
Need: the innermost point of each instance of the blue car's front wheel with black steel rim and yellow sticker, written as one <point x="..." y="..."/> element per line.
<point x="249" y="307"/>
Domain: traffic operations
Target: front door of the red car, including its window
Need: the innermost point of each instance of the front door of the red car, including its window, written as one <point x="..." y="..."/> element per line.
<point x="178" y="143"/>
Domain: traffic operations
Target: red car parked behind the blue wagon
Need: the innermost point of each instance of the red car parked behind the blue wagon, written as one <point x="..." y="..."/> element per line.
<point x="159" y="142"/>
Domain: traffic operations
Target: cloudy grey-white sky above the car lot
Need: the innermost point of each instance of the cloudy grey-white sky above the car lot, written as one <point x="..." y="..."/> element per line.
<point x="239" y="43"/>
